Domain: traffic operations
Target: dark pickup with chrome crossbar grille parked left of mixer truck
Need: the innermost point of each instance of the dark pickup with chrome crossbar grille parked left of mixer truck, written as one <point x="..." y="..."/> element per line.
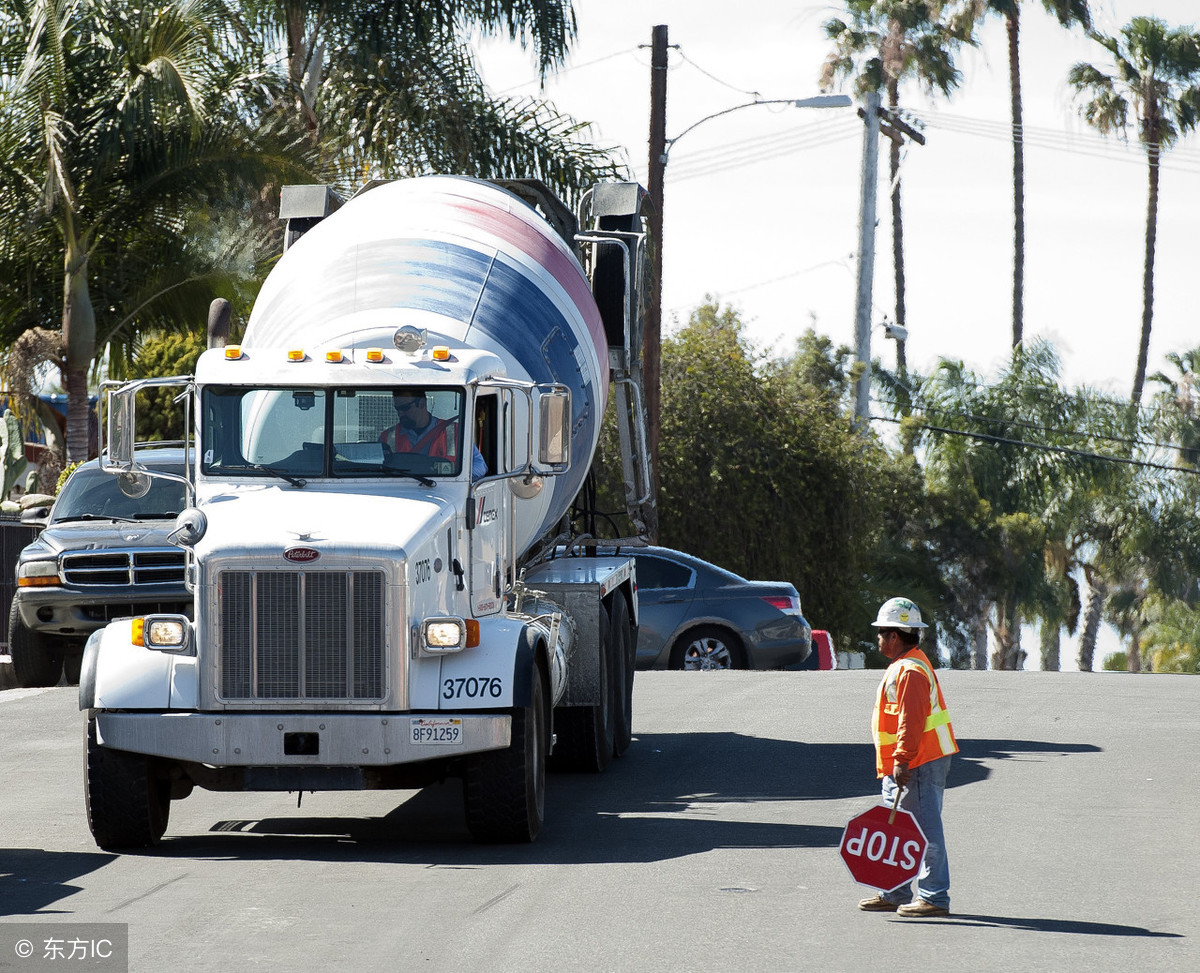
<point x="104" y="555"/>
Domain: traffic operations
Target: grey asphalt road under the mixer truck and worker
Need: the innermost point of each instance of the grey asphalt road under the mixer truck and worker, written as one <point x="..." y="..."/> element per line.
<point x="1072" y="822"/>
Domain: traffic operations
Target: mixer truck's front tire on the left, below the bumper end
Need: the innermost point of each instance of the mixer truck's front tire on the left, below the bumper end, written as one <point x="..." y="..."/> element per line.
<point x="128" y="807"/>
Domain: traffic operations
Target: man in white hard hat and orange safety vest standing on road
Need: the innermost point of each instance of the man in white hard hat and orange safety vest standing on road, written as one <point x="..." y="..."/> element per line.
<point x="914" y="744"/>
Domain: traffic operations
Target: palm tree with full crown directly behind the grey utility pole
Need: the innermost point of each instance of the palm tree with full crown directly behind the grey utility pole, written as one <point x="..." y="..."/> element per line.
<point x="884" y="44"/>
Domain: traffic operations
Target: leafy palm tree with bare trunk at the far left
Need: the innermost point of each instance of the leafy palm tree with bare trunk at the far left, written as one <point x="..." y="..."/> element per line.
<point x="117" y="124"/>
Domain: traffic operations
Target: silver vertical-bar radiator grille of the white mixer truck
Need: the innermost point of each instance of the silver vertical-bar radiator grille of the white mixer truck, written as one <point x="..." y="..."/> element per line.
<point x="302" y="635"/>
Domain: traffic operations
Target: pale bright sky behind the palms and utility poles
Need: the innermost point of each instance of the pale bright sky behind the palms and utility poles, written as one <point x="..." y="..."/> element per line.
<point x="761" y="206"/>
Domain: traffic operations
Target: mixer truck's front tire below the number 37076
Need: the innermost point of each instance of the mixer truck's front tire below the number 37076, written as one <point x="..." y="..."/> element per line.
<point x="505" y="791"/>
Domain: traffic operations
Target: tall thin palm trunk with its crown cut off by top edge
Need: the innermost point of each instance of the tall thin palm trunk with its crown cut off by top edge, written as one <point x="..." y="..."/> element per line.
<point x="1067" y="13"/>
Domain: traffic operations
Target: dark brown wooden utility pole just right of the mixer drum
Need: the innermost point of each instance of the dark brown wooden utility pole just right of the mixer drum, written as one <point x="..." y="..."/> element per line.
<point x="652" y="341"/>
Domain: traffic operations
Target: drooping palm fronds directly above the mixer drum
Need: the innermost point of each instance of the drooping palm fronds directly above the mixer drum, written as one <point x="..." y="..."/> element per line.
<point x="391" y="88"/>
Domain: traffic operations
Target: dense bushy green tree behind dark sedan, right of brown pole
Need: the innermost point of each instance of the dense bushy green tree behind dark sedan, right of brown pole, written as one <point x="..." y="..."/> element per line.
<point x="761" y="470"/>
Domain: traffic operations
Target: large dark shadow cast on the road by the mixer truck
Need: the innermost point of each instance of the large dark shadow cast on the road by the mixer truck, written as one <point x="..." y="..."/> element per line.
<point x="673" y="795"/>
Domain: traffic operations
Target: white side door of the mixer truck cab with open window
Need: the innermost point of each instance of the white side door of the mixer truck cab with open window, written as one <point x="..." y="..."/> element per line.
<point x="490" y="518"/>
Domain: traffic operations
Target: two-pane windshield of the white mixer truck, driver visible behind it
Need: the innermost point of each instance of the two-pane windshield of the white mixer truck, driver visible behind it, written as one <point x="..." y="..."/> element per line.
<point x="406" y="431"/>
